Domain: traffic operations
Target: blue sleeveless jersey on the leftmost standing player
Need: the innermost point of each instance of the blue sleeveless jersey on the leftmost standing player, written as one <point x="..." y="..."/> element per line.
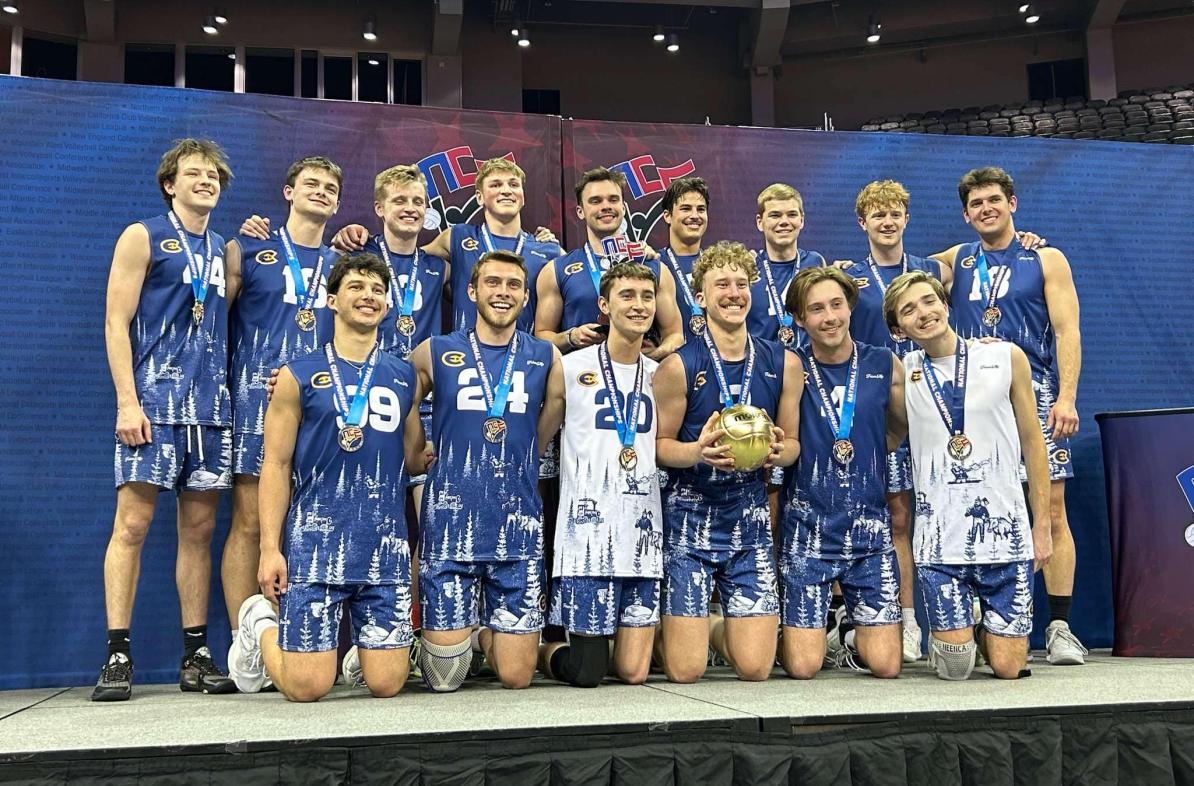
<point x="181" y="370"/>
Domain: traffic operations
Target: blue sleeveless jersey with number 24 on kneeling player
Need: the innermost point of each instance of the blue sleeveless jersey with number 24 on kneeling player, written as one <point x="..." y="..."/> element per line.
<point x="482" y="500"/>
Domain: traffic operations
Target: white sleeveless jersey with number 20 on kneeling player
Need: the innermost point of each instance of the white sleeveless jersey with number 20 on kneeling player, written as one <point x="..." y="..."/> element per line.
<point x="611" y="523"/>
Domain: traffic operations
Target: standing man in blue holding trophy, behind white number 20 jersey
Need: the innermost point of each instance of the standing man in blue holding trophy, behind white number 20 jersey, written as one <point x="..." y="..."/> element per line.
<point x="568" y="314"/>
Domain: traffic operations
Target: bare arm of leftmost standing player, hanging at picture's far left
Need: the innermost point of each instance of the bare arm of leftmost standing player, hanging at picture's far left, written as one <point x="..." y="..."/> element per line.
<point x="131" y="265"/>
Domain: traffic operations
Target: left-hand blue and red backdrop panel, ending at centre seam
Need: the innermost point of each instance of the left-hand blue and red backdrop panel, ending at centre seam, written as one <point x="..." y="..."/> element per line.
<point x="79" y="163"/>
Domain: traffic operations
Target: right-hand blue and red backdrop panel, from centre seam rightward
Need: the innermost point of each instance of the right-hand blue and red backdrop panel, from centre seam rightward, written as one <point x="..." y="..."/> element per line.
<point x="1109" y="207"/>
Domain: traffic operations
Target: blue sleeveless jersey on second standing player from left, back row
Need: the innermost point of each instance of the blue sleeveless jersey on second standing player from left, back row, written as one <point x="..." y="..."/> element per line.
<point x="264" y="333"/>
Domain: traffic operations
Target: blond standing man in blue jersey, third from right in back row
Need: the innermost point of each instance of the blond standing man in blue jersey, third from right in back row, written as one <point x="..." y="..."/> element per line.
<point x="781" y="218"/>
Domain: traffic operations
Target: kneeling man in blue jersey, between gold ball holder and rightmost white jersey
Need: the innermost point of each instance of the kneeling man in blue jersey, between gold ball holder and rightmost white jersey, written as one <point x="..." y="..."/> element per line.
<point x="836" y="526"/>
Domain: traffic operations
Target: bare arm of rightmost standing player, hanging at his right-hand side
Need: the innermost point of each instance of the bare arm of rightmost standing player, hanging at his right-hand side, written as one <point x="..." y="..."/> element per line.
<point x="1062" y="300"/>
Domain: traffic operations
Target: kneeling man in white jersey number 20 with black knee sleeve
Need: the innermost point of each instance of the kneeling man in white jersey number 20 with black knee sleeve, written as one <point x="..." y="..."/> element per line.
<point x="608" y="556"/>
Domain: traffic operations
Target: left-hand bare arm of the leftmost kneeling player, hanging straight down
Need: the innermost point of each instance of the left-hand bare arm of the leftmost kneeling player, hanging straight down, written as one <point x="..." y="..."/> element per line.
<point x="282" y="420"/>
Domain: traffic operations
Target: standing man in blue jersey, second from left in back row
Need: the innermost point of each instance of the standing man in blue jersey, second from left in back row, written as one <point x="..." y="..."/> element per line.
<point x="280" y="314"/>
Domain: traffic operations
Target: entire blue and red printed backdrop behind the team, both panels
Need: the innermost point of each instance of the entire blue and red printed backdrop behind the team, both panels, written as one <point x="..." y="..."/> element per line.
<point x="78" y="163"/>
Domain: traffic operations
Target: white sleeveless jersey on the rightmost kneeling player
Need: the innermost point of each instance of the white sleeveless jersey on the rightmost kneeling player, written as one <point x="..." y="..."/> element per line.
<point x="968" y="512"/>
